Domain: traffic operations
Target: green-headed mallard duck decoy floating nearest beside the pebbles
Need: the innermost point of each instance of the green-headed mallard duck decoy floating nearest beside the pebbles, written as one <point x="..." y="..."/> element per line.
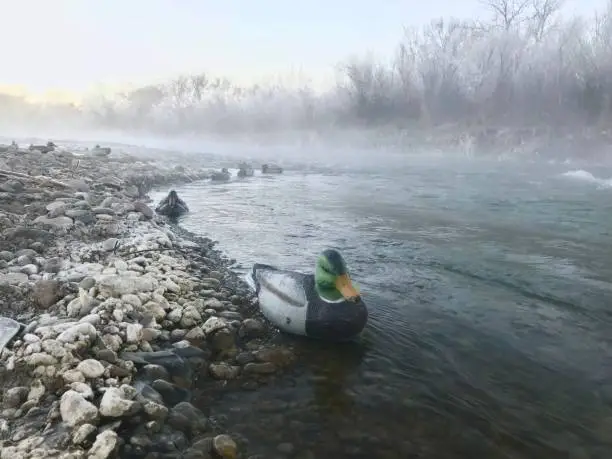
<point x="323" y="305"/>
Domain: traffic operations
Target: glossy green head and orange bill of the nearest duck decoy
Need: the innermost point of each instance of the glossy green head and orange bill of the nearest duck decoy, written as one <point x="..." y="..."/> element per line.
<point x="332" y="280"/>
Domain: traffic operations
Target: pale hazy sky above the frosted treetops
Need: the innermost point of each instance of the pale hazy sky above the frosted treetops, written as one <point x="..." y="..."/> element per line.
<point x="73" y="44"/>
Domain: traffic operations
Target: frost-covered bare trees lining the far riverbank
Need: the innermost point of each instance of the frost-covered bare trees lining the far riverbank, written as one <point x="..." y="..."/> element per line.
<point x="526" y="68"/>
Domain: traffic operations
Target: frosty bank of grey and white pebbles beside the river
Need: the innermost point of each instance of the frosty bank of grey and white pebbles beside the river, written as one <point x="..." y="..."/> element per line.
<point x="123" y="315"/>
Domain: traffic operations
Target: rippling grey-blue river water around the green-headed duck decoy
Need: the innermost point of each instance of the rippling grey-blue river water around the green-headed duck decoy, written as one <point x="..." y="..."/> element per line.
<point x="489" y="289"/>
